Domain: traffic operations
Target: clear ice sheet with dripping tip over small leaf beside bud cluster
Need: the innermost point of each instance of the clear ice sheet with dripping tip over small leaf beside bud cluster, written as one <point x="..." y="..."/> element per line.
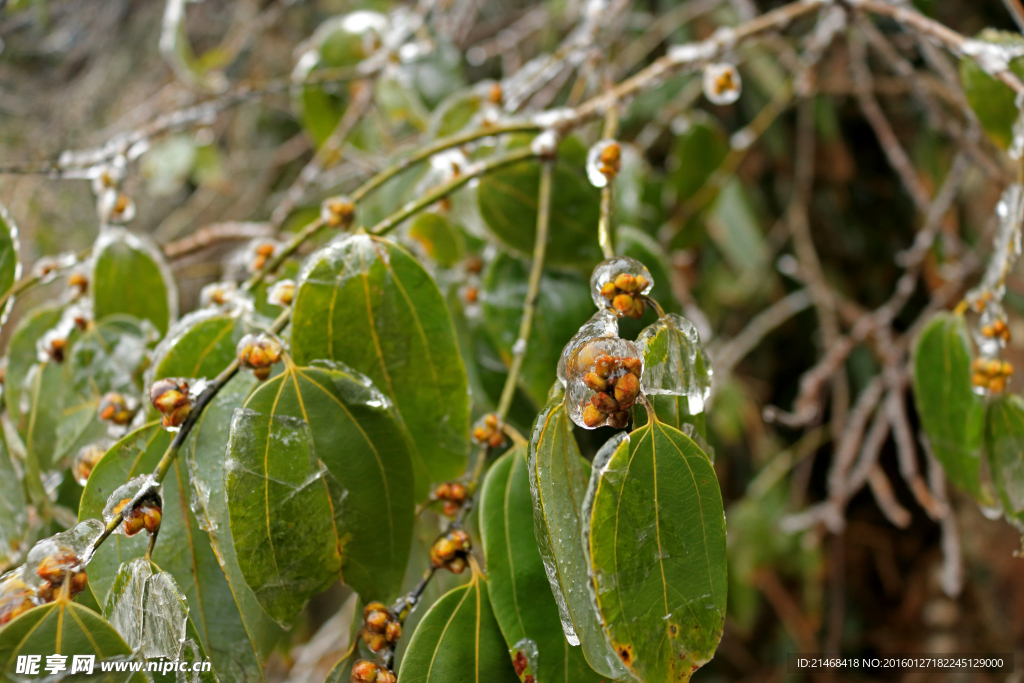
<point x="675" y="362"/>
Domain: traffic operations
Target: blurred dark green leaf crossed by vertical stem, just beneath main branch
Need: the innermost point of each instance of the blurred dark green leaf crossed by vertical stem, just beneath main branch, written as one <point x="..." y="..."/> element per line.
<point x="508" y="204"/>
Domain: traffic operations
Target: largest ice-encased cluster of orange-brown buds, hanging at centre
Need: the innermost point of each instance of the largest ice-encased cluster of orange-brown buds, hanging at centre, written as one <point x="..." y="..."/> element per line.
<point x="604" y="382"/>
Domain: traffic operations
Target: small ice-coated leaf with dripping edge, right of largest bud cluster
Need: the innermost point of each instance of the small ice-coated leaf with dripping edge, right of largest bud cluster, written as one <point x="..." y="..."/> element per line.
<point x="676" y="373"/>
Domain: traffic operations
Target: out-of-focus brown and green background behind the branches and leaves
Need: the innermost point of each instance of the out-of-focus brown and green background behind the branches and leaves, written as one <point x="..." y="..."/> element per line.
<point x="76" y="73"/>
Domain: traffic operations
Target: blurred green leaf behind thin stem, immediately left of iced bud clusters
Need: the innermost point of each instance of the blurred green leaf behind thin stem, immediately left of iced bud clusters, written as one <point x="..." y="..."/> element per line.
<point x="563" y="306"/>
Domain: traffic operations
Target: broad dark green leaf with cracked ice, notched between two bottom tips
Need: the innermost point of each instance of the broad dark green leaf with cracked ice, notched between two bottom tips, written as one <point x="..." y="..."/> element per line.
<point x="320" y="488"/>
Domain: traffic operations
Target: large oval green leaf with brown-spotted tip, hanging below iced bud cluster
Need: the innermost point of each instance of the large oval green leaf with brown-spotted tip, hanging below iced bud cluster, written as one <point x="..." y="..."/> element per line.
<point x="656" y="538"/>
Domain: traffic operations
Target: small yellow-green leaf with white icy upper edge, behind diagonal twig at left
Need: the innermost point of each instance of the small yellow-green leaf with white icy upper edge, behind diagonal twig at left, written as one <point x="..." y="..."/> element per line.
<point x="201" y="345"/>
